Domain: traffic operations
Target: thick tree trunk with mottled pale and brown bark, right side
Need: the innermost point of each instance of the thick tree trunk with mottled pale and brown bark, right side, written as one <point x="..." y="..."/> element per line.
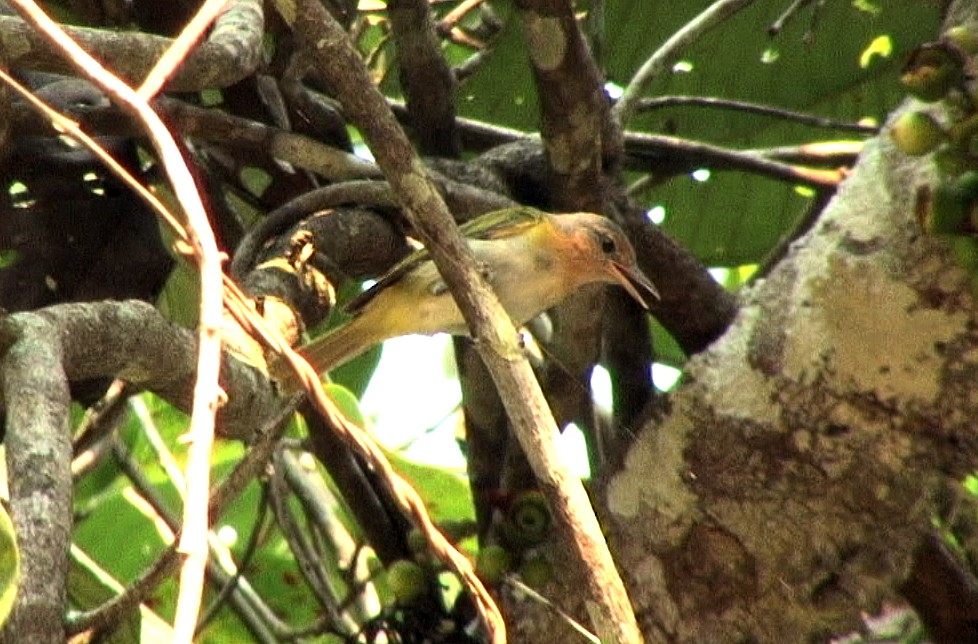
<point x="796" y="473"/>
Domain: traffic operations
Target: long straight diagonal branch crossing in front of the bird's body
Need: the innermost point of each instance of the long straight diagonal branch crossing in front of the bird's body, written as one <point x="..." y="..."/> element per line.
<point x="496" y="338"/>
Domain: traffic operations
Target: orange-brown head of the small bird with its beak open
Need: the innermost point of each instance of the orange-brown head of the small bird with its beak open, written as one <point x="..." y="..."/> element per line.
<point x="600" y="252"/>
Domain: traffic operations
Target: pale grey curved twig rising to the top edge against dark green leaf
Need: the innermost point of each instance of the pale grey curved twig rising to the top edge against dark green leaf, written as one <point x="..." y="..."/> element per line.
<point x="657" y="62"/>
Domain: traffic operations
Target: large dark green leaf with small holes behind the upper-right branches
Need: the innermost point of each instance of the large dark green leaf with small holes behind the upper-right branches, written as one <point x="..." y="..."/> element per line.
<point x="732" y="218"/>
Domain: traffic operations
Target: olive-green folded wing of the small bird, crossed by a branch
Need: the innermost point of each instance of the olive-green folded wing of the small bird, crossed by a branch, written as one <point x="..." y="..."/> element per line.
<point x="498" y="224"/>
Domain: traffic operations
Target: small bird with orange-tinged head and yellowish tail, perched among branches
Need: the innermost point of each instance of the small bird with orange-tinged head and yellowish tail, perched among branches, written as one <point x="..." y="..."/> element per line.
<point x="532" y="259"/>
